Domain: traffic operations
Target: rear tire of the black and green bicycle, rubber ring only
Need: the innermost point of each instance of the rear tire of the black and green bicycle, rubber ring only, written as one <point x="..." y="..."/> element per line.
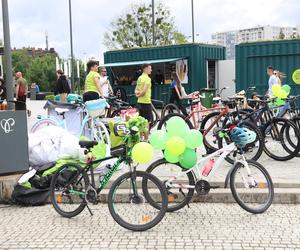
<point x="53" y="186"/>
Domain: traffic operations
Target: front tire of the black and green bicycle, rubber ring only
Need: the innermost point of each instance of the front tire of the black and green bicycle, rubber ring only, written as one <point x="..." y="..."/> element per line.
<point x="162" y="209"/>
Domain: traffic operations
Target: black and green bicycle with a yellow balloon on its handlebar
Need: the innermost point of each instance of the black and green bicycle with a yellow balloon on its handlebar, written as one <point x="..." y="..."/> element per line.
<point x="127" y="199"/>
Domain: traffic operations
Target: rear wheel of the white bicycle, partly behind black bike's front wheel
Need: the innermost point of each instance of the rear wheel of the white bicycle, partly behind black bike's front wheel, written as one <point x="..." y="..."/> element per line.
<point x="178" y="197"/>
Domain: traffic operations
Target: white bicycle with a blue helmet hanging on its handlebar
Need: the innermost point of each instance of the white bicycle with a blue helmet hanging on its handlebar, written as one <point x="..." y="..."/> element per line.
<point x="250" y="183"/>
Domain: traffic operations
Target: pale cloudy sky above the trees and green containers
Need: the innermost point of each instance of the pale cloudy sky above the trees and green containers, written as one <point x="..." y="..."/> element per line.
<point x="30" y="19"/>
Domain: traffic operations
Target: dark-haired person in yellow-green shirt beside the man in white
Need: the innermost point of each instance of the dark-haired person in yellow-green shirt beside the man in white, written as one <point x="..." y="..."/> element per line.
<point x="92" y="88"/>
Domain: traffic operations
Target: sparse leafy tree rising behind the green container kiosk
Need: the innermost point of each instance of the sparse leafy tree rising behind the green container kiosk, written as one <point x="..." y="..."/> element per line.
<point x="134" y="29"/>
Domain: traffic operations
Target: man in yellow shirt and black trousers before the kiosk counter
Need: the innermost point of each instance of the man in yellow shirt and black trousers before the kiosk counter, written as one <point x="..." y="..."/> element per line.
<point x="143" y="93"/>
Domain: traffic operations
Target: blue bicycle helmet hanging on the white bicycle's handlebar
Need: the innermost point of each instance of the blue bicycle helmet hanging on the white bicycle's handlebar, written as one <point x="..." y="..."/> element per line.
<point x="242" y="136"/>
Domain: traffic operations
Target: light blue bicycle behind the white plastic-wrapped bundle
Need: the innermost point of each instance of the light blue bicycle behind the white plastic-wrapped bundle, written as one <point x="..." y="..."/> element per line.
<point x="97" y="131"/>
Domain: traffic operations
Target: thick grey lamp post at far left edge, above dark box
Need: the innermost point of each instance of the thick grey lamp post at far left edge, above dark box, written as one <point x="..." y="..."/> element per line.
<point x="7" y="54"/>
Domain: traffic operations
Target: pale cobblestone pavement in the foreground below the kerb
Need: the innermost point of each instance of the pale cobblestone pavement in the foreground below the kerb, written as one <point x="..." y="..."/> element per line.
<point x="210" y="226"/>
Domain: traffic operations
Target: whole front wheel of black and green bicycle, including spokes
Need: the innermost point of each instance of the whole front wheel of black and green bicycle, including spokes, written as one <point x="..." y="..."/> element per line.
<point x="129" y="206"/>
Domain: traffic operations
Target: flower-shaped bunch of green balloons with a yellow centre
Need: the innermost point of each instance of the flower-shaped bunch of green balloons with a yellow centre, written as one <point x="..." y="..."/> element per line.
<point x="178" y="142"/>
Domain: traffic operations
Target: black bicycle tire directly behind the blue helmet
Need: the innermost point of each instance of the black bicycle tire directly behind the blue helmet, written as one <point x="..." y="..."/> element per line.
<point x="259" y="139"/>
